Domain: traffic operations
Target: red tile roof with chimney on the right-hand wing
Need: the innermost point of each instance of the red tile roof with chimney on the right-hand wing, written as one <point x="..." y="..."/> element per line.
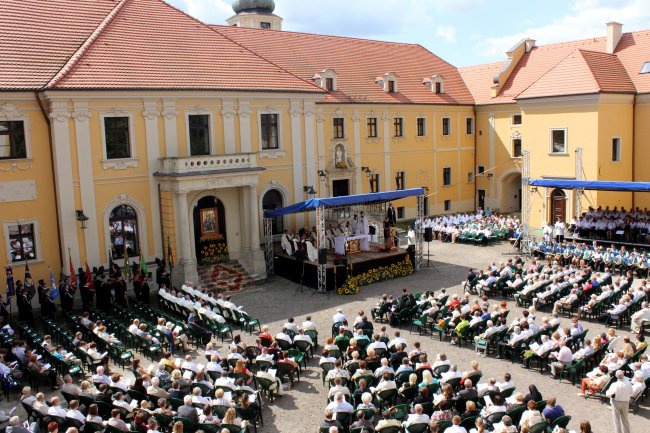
<point x="607" y="73"/>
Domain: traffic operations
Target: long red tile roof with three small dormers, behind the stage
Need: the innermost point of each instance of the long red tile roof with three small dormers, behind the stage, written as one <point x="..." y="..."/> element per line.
<point x="357" y="62"/>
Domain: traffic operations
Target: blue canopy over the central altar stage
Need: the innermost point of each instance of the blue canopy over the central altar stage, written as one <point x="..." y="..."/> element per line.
<point x="348" y="200"/>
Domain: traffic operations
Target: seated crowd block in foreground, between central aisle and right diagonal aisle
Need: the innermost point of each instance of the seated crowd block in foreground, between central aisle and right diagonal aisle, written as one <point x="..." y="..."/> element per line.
<point x="385" y="384"/>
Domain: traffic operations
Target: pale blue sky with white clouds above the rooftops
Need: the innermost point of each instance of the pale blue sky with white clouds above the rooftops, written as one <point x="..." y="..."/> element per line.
<point x="462" y="32"/>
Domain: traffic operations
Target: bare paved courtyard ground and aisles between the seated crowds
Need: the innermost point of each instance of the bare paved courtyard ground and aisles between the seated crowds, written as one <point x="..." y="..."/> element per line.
<point x="301" y="408"/>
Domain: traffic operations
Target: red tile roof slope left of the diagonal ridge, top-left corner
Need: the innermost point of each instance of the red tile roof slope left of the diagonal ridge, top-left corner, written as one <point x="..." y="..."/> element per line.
<point x="38" y="37"/>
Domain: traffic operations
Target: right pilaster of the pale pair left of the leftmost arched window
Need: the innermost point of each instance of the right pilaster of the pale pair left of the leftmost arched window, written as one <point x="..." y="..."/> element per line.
<point x="81" y="116"/>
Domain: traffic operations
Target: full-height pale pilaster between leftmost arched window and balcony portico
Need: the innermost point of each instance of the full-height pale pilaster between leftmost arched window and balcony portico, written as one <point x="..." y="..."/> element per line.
<point x="151" y="113"/>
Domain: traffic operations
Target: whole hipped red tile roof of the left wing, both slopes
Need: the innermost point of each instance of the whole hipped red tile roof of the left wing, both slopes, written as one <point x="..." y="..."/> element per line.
<point x="142" y="44"/>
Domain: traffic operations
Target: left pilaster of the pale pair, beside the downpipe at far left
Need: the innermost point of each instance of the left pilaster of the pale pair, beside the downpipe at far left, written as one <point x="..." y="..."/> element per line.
<point x="60" y="115"/>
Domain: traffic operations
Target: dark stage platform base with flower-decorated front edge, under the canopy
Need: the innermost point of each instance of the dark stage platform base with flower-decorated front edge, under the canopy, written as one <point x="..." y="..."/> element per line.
<point x="361" y="264"/>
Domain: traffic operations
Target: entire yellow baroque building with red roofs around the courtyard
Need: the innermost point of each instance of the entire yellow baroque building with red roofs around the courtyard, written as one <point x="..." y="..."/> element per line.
<point x="129" y="127"/>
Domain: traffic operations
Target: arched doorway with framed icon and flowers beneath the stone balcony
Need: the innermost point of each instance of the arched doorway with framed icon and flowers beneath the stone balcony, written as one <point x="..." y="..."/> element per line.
<point x="211" y="245"/>
